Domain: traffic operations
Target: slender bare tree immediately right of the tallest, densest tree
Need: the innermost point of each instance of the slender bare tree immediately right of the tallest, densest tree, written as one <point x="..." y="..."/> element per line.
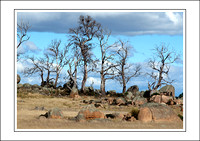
<point x="107" y="70"/>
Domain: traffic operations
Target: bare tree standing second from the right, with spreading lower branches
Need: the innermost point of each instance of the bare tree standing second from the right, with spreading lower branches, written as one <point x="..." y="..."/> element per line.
<point x="125" y="71"/>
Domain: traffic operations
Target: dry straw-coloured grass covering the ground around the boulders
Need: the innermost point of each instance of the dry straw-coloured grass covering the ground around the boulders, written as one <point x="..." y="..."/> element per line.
<point x="27" y="116"/>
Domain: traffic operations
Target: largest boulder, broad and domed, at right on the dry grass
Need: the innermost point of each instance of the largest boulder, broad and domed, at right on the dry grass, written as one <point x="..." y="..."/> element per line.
<point x="156" y="112"/>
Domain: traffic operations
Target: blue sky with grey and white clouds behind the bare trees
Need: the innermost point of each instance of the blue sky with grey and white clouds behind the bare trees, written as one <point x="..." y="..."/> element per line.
<point x="143" y="30"/>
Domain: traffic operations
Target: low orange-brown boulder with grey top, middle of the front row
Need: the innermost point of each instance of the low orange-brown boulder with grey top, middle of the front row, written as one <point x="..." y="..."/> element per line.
<point x="88" y="113"/>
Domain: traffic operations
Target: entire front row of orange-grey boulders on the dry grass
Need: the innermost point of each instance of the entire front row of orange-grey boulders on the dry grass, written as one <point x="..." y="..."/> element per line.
<point x="148" y="112"/>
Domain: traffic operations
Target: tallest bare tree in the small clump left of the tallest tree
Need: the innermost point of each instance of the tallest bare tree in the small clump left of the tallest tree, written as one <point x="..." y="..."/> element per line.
<point x="59" y="56"/>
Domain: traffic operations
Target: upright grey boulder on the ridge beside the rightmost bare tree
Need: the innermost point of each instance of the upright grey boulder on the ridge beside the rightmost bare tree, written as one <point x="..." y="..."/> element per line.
<point x="168" y="90"/>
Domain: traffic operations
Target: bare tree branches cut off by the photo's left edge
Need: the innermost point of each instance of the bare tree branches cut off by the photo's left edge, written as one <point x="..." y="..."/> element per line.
<point x="22" y="29"/>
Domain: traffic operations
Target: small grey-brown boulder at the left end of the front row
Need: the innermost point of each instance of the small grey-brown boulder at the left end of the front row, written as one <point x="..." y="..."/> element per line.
<point x="54" y="113"/>
